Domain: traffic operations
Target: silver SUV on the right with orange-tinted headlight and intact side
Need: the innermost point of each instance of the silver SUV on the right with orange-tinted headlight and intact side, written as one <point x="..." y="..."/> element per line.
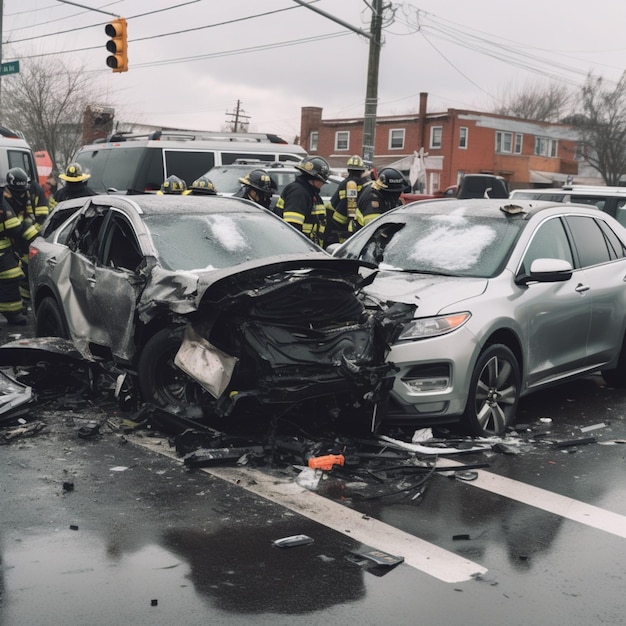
<point x="508" y="297"/>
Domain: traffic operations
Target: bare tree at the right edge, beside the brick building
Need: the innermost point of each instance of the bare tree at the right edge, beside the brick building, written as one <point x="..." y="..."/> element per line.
<point x="602" y="127"/>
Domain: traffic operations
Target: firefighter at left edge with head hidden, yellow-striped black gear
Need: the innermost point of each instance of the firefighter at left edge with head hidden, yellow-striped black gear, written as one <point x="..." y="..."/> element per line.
<point x="12" y="229"/>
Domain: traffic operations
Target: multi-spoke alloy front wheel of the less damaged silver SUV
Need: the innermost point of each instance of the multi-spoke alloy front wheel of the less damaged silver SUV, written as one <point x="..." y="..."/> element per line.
<point x="494" y="392"/>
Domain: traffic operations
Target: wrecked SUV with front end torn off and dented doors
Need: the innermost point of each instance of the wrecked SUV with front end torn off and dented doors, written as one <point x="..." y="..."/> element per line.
<point x="214" y="305"/>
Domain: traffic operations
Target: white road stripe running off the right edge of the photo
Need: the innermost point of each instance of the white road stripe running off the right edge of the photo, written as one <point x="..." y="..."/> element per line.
<point x="547" y="500"/>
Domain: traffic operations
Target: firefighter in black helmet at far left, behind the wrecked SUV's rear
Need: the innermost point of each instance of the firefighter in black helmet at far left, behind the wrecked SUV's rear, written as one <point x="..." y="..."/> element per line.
<point x="28" y="202"/>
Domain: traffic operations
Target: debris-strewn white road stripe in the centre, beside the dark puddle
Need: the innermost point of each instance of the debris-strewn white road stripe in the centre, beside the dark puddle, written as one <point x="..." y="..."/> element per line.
<point x="417" y="553"/>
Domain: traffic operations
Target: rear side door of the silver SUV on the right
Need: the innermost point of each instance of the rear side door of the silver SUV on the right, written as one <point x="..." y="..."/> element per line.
<point x="602" y="258"/>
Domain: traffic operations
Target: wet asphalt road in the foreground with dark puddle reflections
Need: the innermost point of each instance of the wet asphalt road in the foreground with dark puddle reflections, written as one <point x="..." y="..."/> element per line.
<point x="136" y="537"/>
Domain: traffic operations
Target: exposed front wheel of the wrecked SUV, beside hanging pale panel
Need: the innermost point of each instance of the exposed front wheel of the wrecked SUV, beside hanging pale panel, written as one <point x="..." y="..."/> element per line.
<point x="161" y="382"/>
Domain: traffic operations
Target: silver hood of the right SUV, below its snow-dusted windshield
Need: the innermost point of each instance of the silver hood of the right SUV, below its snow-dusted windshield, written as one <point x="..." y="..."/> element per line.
<point x="429" y="293"/>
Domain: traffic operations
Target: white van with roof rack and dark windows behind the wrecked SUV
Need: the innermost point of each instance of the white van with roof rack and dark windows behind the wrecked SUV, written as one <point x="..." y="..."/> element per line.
<point x="127" y="163"/>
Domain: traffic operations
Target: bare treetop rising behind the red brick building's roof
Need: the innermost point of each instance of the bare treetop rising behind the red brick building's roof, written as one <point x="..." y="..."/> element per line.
<point x="536" y="101"/>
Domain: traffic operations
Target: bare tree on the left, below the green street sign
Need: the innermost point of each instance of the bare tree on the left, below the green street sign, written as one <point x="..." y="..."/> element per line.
<point x="46" y="101"/>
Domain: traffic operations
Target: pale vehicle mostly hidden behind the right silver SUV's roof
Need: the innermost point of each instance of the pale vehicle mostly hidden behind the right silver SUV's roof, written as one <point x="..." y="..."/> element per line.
<point x="611" y="200"/>
